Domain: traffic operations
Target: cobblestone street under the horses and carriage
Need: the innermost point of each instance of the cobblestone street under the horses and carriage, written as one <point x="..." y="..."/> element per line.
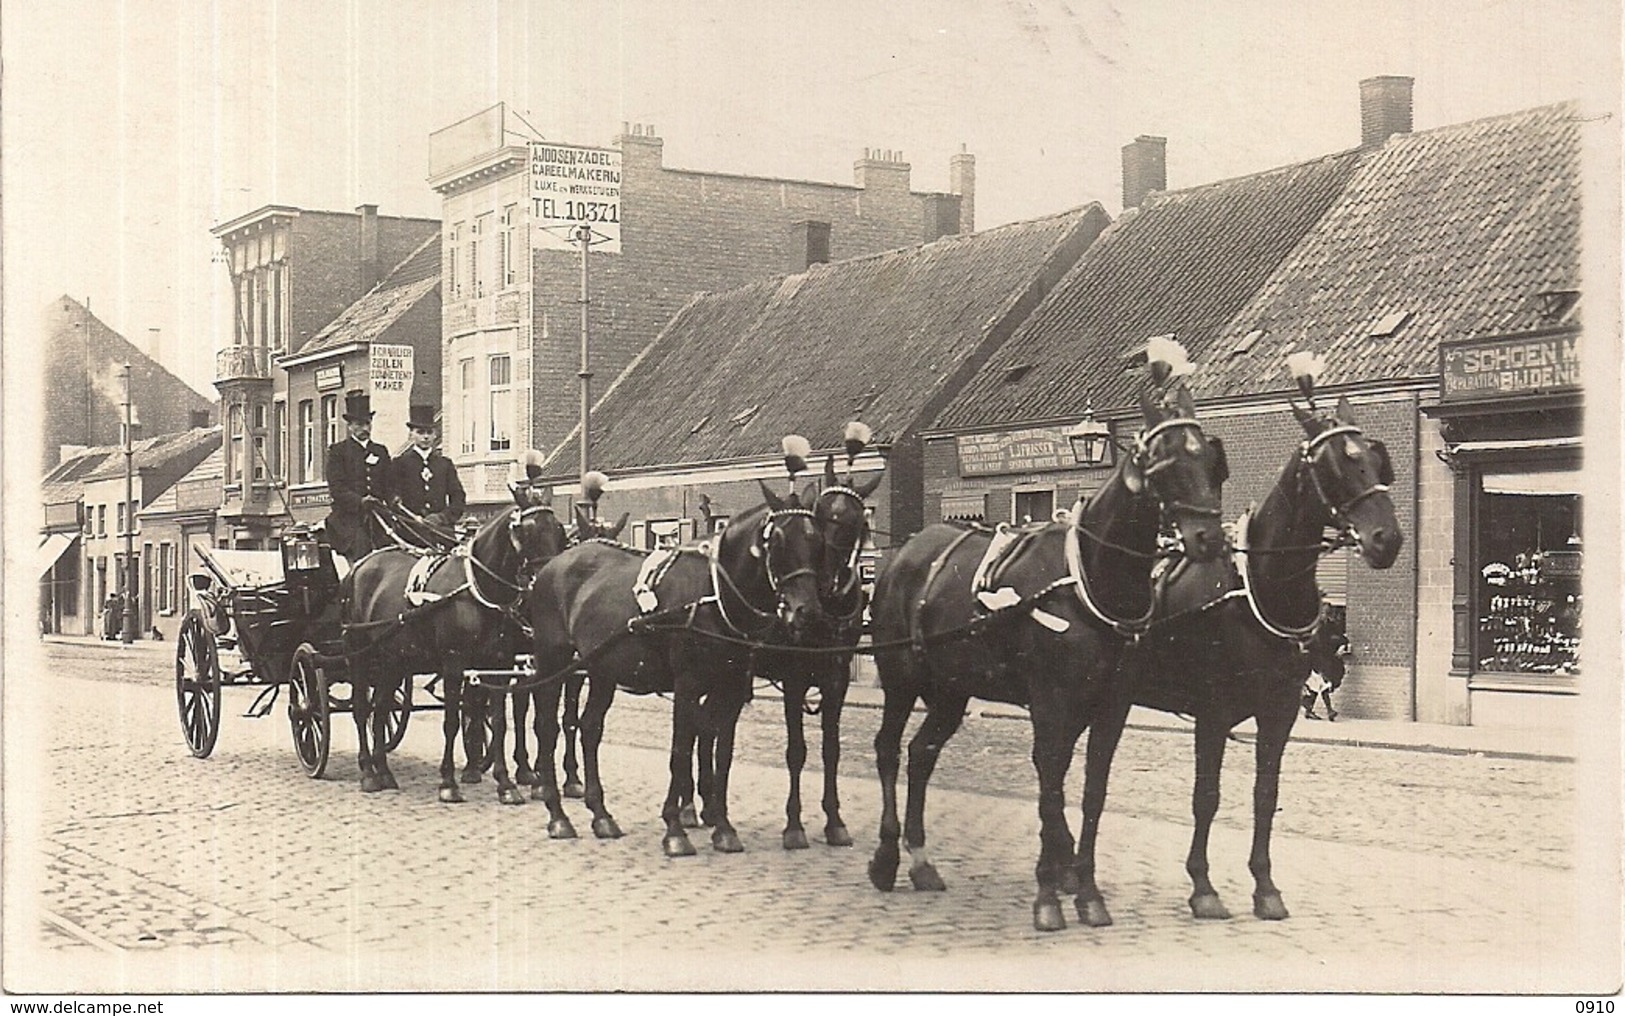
<point x="160" y="872"/>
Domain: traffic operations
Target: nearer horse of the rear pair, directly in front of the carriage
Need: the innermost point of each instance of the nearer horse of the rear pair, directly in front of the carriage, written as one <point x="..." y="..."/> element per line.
<point x="462" y="615"/>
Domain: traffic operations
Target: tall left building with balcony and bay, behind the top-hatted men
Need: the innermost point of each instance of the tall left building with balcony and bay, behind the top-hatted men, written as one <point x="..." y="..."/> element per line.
<point x="293" y="272"/>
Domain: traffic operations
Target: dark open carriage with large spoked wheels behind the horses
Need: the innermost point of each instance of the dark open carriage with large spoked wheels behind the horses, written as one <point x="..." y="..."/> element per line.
<point x="271" y="620"/>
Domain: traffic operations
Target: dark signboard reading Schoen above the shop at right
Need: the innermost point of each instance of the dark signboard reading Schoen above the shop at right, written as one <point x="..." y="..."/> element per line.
<point x="1493" y="368"/>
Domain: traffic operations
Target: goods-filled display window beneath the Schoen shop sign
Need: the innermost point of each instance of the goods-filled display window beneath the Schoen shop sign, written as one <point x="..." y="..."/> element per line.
<point x="1530" y="560"/>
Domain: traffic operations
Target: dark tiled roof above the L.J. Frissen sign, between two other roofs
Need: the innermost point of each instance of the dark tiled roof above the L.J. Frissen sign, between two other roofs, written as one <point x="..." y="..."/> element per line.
<point x="1184" y="264"/>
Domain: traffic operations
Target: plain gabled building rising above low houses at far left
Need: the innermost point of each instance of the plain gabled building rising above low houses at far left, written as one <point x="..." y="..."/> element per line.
<point x="85" y="386"/>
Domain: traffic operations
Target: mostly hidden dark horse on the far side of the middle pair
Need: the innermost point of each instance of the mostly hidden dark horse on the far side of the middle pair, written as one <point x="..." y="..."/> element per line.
<point x="843" y="523"/>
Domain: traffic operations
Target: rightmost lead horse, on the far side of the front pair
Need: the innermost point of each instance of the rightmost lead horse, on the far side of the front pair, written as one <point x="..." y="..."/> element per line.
<point x="1229" y="643"/>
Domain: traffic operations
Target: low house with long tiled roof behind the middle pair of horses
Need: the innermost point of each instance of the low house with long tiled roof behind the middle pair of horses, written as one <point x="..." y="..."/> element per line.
<point x="698" y="417"/>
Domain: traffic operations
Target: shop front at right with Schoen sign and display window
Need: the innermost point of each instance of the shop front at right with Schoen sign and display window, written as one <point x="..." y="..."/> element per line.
<point x="1510" y="414"/>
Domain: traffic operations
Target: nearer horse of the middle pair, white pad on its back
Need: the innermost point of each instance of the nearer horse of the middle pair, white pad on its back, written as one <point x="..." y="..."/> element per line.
<point x="690" y="623"/>
